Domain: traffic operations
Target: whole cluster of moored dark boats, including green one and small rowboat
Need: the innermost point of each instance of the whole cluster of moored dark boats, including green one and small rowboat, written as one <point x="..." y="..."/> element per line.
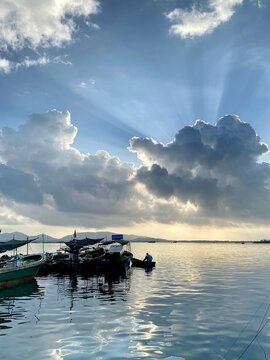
<point x="84" y="256"/>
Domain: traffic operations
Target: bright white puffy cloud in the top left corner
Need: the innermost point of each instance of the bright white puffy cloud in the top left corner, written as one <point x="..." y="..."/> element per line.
<point x="41" y="23"/>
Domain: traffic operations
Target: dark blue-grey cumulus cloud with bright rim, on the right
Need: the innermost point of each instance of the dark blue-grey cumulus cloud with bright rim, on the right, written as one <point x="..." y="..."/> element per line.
<point x="214" y="168"/>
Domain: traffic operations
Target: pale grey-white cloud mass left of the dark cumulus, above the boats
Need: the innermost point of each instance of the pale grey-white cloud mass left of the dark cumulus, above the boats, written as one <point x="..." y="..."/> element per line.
<point x="68" y="181"/>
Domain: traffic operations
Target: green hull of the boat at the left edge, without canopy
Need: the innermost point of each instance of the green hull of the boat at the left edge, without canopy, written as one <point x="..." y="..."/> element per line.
<point x="19" y="269"/>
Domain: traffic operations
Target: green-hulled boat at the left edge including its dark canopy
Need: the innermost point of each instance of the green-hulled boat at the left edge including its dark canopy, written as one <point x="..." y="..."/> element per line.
<point x="19" y="268"/>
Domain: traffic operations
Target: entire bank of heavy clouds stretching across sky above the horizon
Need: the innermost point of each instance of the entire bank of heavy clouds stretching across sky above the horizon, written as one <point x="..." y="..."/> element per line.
<point x="208" y="174"/>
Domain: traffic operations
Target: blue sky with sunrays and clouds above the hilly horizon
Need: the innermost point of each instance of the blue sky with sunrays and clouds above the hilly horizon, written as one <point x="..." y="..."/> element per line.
<point x="142" y="117"/>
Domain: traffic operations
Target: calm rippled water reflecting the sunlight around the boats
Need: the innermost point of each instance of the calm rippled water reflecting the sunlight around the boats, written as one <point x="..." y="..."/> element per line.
<point x="202" y="301"/>
